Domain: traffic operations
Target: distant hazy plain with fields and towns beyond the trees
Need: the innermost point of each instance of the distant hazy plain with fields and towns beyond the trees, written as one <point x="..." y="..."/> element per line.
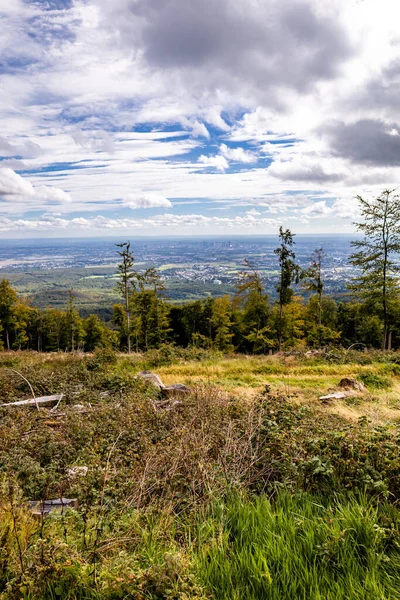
<point x="192" y="268"/>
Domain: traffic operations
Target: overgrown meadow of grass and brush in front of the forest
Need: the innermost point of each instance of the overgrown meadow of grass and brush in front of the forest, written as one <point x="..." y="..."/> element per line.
<point x="247" y="487"/>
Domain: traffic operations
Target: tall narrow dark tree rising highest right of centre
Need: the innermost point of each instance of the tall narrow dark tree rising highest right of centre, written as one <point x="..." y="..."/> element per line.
<point x="289" y="273"/>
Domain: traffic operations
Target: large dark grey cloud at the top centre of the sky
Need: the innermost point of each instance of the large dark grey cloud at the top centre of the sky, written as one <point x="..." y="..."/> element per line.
<point x="232" y="42"/>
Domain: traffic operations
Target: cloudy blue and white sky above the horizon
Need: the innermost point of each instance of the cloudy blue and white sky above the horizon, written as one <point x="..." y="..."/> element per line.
<point x="193" y="117"/>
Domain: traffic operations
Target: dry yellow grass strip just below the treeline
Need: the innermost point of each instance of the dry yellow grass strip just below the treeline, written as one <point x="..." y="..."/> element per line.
<point x="304" y="383"/>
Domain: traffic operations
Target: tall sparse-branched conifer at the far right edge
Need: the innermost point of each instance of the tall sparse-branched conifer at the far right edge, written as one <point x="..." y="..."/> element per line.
<point x="377" y="257"/>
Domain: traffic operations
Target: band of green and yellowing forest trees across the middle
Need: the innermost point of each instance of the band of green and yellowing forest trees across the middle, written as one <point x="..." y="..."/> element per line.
<point x="247" y="322"/>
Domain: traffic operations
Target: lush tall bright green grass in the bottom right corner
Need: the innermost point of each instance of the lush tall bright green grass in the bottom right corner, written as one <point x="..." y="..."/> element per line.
<point x="297" y="549"/>
